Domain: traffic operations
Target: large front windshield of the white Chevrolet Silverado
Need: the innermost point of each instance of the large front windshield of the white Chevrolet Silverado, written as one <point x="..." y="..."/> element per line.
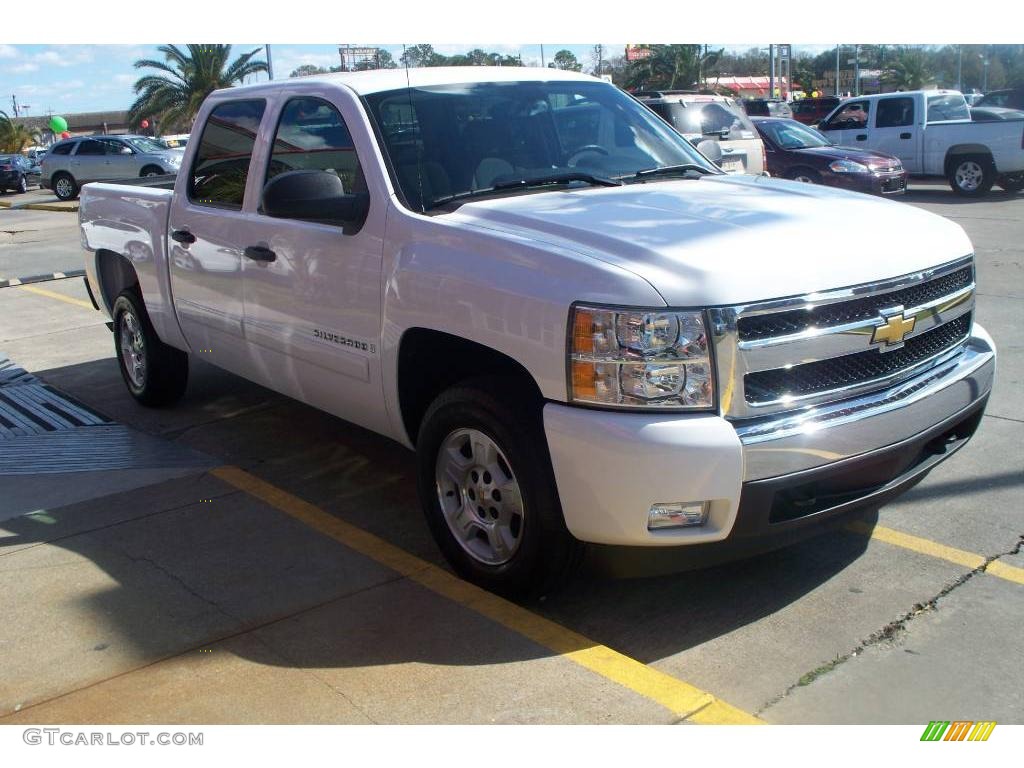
<point x="453" y="140"/>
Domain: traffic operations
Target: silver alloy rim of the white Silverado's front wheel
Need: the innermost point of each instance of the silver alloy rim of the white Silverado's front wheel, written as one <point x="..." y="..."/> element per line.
<point x="480" y="497"/>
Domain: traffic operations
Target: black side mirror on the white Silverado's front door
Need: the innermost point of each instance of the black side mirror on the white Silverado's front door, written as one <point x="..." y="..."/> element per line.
<point x="314" y="196"/>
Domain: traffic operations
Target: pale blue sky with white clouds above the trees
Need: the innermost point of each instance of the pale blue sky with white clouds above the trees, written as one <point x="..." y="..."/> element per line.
<point x="66" y="79"/>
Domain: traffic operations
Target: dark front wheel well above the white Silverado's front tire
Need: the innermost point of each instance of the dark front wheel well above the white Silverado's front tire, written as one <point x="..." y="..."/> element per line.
<point x="431" y="362"/>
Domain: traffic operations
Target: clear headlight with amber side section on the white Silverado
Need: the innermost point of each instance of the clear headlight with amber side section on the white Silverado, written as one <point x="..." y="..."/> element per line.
<point x="641" y="360"/>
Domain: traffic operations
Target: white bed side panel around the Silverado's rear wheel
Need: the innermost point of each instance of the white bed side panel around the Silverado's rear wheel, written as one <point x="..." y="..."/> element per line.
<point x="132" y="222"/>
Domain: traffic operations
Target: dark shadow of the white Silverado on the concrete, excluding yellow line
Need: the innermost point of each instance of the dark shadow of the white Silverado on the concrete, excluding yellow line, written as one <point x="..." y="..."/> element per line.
<point x="195" y="561"/>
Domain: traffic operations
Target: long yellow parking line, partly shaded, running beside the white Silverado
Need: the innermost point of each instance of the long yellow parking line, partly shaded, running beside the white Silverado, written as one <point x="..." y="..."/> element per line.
<point x="682" y="700"/>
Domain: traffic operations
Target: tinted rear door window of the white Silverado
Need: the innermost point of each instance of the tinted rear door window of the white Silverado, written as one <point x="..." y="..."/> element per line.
<point x="221" y="169"/>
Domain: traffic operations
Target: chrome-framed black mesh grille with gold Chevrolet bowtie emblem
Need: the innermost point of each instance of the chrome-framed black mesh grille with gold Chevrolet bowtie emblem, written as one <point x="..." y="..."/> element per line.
<point x="806" y="351"/>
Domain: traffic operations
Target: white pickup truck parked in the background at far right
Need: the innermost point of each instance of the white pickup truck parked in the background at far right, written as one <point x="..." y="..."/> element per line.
<point x="932" y="135"/>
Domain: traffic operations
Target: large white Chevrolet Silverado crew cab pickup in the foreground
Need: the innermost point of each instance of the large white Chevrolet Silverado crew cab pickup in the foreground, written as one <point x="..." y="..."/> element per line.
<point x="594" y="340"/>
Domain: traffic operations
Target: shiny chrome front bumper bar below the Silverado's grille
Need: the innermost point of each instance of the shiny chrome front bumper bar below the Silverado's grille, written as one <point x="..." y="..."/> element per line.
<point x="795" y="443"/>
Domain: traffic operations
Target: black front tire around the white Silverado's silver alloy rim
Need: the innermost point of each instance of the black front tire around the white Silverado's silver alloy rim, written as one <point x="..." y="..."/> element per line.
<point x="546" y="553"/>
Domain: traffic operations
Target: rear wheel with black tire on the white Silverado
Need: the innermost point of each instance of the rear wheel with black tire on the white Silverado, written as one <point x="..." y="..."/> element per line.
<point x="164" y="376"/>
